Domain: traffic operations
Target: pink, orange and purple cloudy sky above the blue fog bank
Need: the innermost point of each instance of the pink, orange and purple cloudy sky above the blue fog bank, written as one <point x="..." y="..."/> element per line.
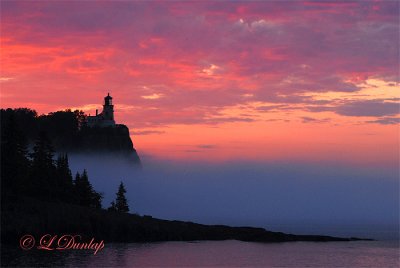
<point x="283" y="81"/>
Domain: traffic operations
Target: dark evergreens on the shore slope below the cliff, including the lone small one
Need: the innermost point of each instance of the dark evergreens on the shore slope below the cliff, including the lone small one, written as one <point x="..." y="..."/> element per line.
<point x="35" y="173"/>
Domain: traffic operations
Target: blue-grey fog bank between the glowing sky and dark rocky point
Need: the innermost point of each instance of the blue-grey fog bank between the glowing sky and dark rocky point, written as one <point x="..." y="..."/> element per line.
<point x="290" y="197"/>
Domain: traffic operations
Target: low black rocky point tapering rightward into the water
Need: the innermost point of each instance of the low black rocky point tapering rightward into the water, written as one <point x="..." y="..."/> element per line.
<point x="29" y="216"/>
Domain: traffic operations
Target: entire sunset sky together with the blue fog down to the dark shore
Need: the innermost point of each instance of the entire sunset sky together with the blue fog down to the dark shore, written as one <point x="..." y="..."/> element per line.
<point x="278" y="114"/>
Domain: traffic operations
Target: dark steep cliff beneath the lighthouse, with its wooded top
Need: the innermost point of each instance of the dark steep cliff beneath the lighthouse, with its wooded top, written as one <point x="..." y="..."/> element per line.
<point x="68" y="132"/>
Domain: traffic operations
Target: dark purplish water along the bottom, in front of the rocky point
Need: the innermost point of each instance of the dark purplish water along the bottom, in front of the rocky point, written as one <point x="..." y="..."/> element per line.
<point x="229" y="253"/>
